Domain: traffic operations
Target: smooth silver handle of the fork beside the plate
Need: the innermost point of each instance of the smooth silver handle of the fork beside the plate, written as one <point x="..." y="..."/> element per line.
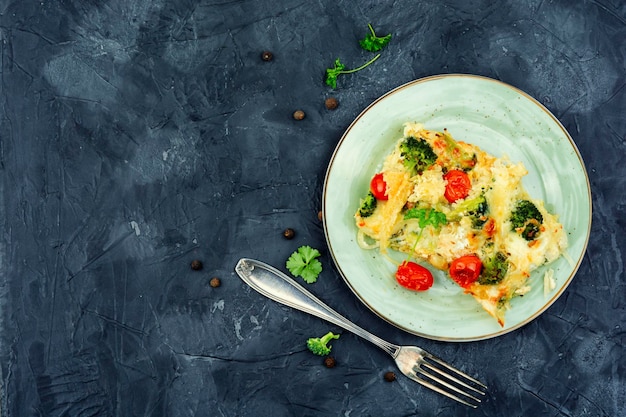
<point x="277" y="286"/>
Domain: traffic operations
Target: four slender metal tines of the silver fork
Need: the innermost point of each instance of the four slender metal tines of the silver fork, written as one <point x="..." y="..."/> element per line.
<point x="449" y="383"/>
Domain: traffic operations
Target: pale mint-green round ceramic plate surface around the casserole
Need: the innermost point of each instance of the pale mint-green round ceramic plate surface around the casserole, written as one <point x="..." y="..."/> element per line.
<point x="501" y="120"/>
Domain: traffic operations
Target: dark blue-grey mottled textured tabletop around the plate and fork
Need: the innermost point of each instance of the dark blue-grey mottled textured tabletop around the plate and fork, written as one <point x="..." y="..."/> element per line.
<point x="136" y="136"/>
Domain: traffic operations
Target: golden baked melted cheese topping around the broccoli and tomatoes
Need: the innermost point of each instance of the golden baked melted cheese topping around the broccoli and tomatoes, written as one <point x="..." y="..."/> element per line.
<point x="498" y="180"/>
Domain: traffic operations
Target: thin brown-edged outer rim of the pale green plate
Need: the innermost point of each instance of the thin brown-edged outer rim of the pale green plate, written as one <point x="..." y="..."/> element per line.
<point x="557" y="123"/>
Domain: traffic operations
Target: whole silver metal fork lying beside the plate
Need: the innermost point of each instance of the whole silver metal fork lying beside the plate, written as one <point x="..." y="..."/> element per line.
<point x="412" y="361"/>
